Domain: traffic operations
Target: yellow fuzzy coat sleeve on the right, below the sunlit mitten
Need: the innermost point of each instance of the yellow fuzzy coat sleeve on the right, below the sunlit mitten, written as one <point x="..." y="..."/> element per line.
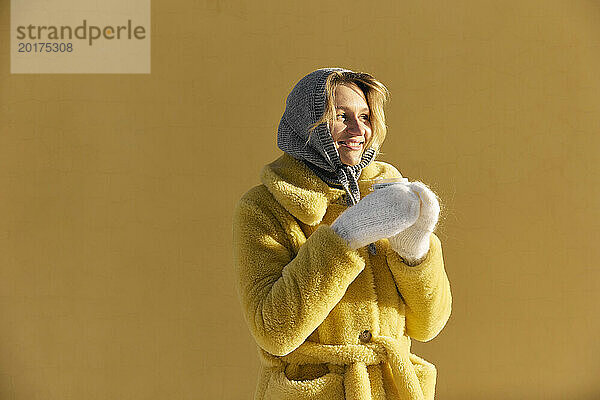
<point x="426" y="291"/>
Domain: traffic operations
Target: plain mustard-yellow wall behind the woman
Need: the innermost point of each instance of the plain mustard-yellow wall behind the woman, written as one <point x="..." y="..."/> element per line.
<point x="117" y="191"/>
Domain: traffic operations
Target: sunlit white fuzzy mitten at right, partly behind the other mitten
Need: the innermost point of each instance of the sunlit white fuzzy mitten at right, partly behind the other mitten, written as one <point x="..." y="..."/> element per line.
<point x="412" y="244"/>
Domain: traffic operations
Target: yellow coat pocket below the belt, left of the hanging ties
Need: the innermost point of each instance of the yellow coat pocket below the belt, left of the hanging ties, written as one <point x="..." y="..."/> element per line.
<point x="328" y="386"/>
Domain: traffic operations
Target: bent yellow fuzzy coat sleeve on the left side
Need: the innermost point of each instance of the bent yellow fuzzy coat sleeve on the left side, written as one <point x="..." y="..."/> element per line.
<point x="286" y="296"/>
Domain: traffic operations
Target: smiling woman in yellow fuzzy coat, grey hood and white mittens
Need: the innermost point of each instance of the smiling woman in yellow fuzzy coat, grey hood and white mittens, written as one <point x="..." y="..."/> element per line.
<point x="334" y="282"/>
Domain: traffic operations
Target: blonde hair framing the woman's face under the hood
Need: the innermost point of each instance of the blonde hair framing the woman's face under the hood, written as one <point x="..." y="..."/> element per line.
<point x="376" y="95"/>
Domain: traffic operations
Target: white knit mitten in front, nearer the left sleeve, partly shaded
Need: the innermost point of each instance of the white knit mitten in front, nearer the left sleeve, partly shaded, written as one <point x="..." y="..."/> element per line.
<point x="379" y="215"/>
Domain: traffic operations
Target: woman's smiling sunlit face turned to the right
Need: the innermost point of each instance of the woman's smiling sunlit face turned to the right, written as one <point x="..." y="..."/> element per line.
<point x="351" y="129"/>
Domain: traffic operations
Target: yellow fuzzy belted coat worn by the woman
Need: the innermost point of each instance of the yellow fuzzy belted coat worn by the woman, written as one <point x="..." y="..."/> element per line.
<point x="331" y="322"/>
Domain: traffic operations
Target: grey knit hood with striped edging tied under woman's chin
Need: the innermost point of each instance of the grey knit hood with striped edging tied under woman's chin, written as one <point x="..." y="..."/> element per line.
<point x="304" y="106"/>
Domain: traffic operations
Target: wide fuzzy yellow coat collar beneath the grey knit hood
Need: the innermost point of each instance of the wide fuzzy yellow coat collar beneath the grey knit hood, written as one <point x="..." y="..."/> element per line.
<point x="303" y="194"/>
